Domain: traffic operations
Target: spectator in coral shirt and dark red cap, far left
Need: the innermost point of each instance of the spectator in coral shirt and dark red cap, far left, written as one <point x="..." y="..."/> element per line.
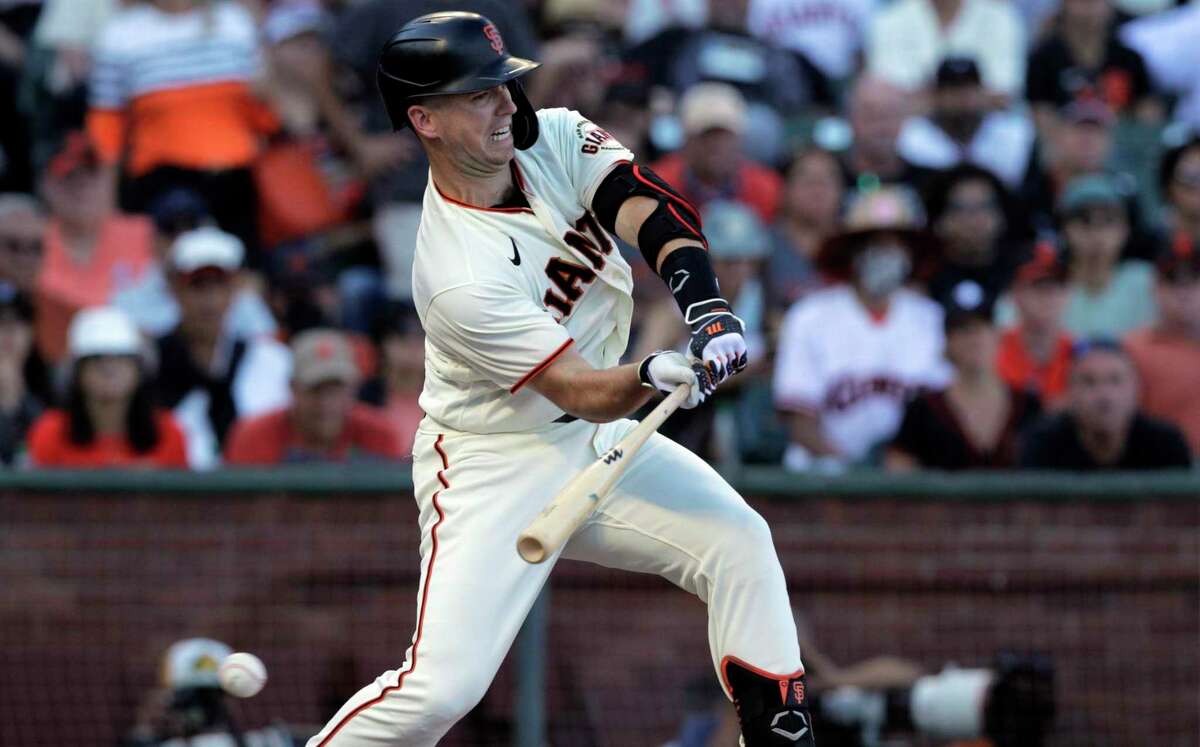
<point x="92" y="250"/>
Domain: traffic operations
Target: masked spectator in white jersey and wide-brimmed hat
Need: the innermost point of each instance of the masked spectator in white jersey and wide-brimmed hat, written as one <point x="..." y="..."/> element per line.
<point x="853" y="355"/>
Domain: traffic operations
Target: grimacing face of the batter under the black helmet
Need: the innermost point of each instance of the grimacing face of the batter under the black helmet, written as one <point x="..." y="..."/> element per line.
<point x="477" y="129"/>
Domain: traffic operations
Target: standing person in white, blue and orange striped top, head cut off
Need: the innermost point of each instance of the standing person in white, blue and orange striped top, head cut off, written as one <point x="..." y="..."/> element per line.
<point x="172" y="98"/>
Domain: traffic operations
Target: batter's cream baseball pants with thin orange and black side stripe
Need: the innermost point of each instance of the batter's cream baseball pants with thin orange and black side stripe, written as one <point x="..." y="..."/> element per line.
<point x="670" y="515"/>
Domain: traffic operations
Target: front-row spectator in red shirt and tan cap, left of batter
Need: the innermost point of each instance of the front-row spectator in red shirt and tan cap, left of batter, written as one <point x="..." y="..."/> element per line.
<point x="325" y="423"/>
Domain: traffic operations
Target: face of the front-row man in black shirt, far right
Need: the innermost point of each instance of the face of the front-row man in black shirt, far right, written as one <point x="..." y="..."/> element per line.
<point x="1103" y="391"/>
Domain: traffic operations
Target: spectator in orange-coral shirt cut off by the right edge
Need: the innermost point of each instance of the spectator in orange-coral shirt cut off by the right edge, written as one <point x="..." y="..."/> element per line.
<point x="1168" y="355"/>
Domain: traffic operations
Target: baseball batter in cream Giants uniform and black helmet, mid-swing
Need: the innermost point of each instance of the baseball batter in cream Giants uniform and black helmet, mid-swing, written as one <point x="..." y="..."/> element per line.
<point x="526" y="307"/>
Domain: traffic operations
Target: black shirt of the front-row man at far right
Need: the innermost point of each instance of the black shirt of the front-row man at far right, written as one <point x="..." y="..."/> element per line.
<point x="1151" y="445"/>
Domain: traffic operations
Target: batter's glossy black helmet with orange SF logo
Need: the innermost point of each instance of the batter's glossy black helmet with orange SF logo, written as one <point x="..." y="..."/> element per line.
<point x="453" y="53"/>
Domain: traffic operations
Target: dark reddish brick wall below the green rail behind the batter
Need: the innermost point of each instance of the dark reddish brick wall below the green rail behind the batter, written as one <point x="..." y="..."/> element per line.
<point x="94" y="588"/>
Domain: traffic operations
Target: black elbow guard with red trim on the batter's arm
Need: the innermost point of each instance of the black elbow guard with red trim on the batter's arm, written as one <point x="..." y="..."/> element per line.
<point x="675" y="218"/>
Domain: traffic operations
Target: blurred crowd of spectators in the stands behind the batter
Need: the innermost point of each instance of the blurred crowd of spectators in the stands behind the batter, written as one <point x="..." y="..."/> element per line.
<point x="962" y="234"/>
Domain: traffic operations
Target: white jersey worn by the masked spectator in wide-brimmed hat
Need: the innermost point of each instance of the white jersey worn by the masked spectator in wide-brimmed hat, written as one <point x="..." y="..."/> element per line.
<point x="857" y="372"/>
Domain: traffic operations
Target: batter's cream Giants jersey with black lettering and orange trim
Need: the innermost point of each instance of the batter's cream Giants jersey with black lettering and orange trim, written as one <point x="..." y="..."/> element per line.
<point x="503" y="291"/>
